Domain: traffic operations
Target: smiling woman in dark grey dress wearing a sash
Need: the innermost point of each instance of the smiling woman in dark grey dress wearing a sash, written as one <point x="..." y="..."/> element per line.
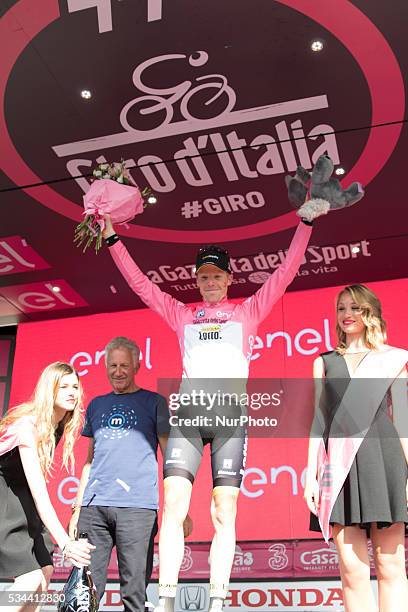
<point x="372" y="502"/>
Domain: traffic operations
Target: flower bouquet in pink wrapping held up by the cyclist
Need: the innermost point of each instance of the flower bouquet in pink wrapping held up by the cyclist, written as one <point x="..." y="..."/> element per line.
<point x="113" y="193"/>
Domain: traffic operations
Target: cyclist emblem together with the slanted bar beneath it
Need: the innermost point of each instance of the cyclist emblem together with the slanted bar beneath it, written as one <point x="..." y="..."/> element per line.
<point x="211" y="94"/>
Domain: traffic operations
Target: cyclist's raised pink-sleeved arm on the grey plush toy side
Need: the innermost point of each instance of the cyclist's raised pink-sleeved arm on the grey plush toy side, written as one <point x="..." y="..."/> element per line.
<point x="260" y="304"/>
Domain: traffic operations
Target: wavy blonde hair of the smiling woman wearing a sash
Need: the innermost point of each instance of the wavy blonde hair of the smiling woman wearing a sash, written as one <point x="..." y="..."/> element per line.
<point x="375" y="333"/>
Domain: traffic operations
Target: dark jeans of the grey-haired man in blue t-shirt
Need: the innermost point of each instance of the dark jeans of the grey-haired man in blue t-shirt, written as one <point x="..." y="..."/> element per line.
<point x="132" y="531"/>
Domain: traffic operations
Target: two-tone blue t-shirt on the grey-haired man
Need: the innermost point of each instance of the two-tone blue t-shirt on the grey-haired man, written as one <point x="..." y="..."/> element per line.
<point x="125" y="428"/>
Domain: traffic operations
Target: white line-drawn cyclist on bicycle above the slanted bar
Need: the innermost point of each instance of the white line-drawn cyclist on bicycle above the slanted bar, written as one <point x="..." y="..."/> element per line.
<point x="160" y="102"/>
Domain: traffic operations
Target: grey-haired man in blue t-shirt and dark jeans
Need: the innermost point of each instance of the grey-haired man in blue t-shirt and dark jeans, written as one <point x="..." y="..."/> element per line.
<point x="118" y="495"/>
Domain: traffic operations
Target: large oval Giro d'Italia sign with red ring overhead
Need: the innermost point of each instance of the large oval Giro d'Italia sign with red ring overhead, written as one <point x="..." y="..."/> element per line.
<point x="203" y="122"/>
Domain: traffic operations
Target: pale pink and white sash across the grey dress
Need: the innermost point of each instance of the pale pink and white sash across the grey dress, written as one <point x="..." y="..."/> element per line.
<point x="351" y="423"/>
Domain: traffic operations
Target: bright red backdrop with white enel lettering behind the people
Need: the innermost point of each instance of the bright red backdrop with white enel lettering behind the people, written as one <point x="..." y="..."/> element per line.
<point x="271" y="504"/>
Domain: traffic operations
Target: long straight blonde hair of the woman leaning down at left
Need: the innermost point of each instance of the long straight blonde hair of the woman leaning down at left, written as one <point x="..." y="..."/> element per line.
<point x="41" y="406"/>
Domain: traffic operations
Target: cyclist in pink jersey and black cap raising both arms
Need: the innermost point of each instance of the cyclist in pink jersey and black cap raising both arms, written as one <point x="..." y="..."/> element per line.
<point x="216" y="341"/>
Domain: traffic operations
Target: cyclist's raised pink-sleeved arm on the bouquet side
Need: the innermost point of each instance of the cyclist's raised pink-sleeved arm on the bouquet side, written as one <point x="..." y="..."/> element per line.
<point x="164" y="304"/>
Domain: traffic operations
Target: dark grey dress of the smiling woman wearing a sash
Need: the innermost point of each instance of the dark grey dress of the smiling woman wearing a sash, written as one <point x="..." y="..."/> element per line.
<point x="375" y="488"/>
